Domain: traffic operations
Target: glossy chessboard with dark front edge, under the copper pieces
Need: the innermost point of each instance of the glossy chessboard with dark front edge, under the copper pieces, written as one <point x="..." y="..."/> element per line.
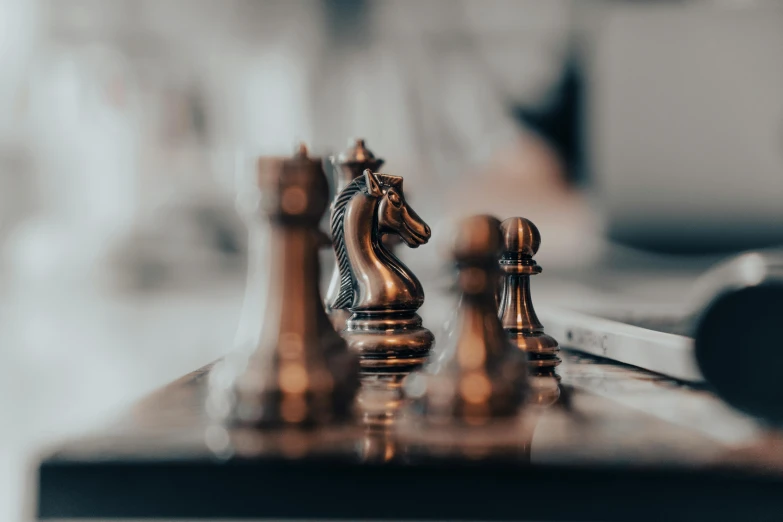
<point x="618" y="444"/>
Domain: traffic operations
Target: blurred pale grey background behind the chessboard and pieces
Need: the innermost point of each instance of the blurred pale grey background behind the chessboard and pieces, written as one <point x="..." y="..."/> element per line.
<point x="640" y="136"/>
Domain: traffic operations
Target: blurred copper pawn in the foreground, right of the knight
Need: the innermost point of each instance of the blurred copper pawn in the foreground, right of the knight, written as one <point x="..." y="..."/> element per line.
<point x="479" y="375"/>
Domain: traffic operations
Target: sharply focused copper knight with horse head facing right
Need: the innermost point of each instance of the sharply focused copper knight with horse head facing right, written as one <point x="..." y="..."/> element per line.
<point x="381" y="293"/>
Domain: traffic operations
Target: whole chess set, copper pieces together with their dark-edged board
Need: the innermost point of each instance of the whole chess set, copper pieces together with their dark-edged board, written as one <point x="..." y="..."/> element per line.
<point x="347" y="409"/>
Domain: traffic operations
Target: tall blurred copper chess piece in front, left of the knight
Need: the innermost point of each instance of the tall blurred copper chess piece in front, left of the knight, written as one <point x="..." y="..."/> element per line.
<point x="301" y="372"/>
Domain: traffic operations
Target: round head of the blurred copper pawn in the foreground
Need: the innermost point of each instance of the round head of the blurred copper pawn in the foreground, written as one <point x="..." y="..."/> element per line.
<point x="477" y="239"/>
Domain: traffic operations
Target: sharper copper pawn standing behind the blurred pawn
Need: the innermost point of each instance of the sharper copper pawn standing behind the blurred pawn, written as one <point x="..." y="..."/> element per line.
<point x="521" y="240"/>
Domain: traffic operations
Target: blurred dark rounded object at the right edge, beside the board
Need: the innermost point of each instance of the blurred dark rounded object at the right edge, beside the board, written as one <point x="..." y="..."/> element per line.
<point x="739" y="335"/>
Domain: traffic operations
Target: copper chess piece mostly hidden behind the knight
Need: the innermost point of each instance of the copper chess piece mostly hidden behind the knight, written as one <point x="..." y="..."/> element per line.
<point x="349" y="165"/>
